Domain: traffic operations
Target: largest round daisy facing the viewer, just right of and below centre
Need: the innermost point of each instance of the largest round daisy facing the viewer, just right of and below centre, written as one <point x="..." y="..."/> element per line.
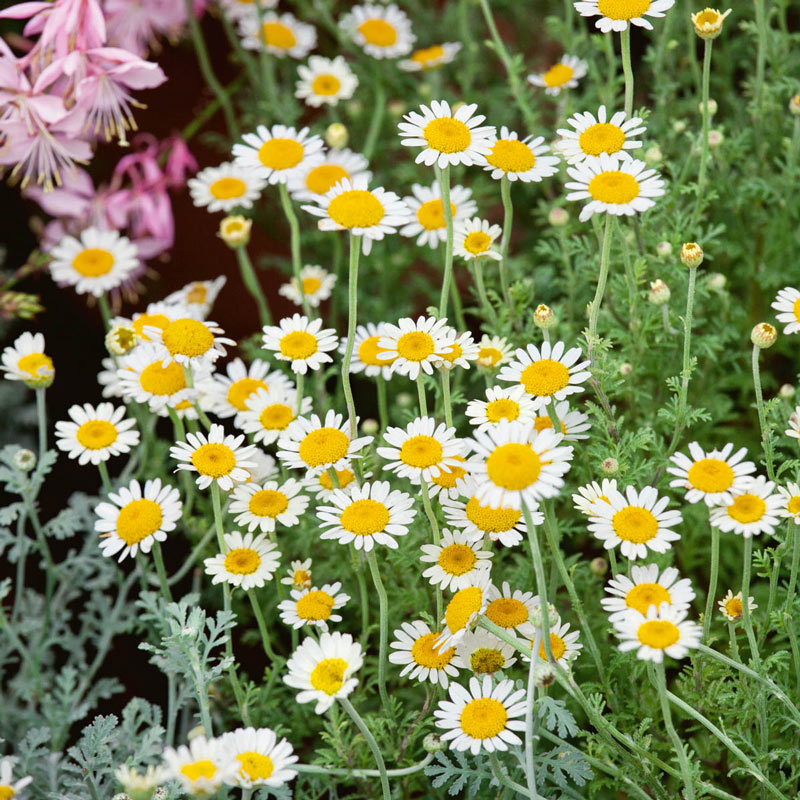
<point x="517" y="464"/>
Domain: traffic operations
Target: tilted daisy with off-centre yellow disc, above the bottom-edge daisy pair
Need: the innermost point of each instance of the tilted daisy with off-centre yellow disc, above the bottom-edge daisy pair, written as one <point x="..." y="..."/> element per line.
<point x="323" y="670"/>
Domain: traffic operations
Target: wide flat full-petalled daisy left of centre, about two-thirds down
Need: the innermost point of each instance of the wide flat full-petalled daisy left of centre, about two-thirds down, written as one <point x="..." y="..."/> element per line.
<point x="367" y="515"/>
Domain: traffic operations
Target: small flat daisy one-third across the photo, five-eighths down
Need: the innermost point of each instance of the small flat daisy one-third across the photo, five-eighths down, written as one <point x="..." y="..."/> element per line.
<point x="263" y="506"/>
